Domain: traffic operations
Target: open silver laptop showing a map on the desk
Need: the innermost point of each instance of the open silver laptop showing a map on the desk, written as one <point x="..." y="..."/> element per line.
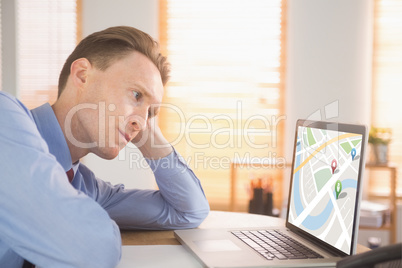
<point x="323" y="207"/>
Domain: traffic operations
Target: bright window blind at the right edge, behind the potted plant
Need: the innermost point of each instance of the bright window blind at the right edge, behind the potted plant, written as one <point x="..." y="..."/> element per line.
<point x="387" y="79"/>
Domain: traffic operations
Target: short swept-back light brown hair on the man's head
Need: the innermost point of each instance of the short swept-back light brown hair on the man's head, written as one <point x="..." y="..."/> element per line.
<point x="108" y="46"/>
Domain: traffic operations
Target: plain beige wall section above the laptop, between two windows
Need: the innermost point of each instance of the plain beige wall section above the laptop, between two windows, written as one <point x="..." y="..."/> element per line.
<point x="329" y="59"/>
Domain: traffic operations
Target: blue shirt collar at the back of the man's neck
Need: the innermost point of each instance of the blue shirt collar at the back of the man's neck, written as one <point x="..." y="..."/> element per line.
<point x="51" y="132"/>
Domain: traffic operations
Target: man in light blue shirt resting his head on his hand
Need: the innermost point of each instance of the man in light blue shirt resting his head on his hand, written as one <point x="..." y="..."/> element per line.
<point x="110" y="90"/>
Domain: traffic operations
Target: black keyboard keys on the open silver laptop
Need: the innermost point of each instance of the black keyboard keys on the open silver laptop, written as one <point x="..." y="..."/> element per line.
<point x="273" y="244"/>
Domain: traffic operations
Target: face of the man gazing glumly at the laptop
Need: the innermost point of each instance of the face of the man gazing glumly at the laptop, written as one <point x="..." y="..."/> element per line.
<point x="125" y="95"/>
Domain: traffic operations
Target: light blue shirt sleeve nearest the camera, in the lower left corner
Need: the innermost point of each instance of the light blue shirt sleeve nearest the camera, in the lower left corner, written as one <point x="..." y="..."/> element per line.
<point x="42" y="217"/>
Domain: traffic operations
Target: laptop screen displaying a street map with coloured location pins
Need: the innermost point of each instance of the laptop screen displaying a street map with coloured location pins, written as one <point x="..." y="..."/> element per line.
<point x="325" y="182"/>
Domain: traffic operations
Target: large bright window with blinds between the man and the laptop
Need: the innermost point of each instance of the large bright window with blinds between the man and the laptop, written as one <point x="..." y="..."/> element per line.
<point x="224" y="100"/>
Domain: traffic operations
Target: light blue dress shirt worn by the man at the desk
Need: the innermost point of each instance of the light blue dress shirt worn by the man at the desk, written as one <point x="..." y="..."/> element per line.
<point x="52" y="223"/>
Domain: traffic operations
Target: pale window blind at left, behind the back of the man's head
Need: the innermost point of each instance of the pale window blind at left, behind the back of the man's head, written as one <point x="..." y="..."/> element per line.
<point x="46" y="36"/>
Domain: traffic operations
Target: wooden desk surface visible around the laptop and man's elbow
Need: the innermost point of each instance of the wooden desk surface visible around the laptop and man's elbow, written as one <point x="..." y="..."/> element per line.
<point x="215" y="220"/>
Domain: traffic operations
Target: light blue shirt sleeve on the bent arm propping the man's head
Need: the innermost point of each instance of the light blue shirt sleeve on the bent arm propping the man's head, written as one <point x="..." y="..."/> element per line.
<point x="179" y="203"/>
